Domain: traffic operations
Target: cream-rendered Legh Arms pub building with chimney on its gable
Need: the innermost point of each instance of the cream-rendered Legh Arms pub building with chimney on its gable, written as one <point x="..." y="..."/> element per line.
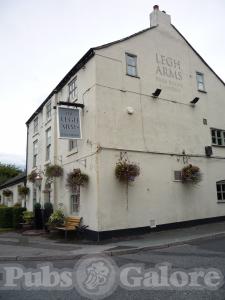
<point x="136" y="94"/>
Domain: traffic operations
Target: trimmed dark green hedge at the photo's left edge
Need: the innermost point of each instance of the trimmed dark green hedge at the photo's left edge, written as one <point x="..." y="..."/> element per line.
<point x="11" y="217"/>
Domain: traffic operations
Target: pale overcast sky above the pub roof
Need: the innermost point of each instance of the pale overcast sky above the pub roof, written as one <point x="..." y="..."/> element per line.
<point x="41" y="40"/>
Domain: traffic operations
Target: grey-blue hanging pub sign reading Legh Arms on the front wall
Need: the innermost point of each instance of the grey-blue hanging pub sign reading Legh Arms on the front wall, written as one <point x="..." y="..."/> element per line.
<point x="69" y="125"/>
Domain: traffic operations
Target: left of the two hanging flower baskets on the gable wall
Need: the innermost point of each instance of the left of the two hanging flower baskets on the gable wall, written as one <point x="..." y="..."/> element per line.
<point x="126" y="171"/>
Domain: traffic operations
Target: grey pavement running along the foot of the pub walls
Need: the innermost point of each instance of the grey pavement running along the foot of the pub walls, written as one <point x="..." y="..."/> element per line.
<point x="17" y="247"/>
